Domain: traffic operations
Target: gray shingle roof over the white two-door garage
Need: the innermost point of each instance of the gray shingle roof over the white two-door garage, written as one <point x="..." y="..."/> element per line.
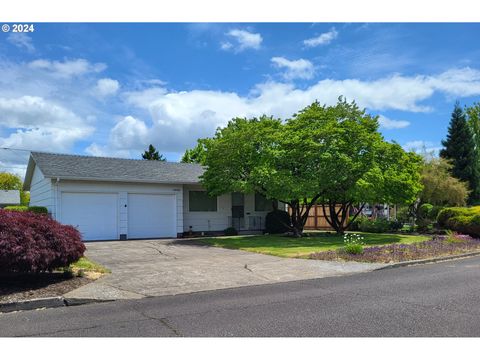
<point x="115" y="169"/>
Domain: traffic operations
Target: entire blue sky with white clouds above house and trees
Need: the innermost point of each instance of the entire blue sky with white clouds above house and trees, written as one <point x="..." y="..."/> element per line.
<point x="111" y="89"/>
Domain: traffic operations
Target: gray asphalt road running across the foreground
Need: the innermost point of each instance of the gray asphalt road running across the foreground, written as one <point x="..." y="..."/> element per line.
<point x="440" y="299"/>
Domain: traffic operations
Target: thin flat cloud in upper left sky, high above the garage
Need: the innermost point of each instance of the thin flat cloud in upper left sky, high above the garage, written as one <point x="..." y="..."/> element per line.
<point x="67" y="68"/>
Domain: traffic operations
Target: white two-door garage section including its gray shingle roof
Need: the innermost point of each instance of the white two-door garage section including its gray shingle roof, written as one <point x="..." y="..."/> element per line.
<point x="112" y="198"/>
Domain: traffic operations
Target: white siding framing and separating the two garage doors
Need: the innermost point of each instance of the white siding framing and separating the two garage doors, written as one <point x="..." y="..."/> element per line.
<point x="123" y="189"/>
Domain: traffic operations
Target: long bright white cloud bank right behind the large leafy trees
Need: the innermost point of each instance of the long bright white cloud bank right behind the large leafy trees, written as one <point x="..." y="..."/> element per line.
<point x="179" y="118"/>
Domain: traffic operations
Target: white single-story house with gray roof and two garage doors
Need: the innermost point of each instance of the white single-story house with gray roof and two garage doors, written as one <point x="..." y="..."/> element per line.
<point x="111" y="198"/>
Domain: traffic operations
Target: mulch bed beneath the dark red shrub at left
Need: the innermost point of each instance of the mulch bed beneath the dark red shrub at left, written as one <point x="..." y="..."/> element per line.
<point x="19" y="287"/>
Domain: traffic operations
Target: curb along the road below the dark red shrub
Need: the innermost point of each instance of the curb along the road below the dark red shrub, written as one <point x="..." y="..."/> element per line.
<point x="50" y="302"/>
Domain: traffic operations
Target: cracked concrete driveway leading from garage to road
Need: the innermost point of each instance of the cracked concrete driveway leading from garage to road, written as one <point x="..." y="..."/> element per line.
<point x="145" y="268"/>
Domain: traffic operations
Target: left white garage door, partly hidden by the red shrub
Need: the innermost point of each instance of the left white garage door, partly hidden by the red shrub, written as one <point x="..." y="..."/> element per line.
<point x="94" y="214"/>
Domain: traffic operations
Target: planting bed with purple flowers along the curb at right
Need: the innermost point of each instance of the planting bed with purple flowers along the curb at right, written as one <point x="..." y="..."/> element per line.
<point x="438" y="246"/>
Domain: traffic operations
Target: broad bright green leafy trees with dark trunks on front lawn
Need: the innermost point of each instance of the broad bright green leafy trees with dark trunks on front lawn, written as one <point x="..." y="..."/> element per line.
<point x="333" y="155"/>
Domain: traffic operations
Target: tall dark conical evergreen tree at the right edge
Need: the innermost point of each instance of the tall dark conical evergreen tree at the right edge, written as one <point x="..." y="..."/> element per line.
<point x="459" y="148"/>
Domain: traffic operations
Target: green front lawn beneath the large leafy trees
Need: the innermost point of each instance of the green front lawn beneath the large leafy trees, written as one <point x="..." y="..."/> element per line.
<point x="301" y="247"/>
